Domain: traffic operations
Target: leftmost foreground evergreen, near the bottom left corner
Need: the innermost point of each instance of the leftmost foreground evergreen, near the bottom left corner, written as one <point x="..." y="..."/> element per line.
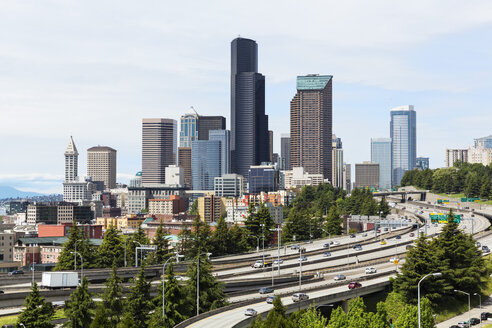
<point x="37" y="313"/>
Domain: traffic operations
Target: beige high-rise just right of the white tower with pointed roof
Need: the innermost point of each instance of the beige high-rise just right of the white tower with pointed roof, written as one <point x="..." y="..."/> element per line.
<point x="101" y="167"/>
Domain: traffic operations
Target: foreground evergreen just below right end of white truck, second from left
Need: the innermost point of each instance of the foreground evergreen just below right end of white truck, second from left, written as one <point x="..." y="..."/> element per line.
<point x="78" y="309"/>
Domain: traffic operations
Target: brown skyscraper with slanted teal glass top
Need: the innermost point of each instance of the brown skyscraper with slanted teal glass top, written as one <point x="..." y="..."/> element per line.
<point x="311" y="125"/>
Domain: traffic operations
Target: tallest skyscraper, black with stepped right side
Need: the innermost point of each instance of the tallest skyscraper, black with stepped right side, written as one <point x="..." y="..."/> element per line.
<point x="249" y="124"/>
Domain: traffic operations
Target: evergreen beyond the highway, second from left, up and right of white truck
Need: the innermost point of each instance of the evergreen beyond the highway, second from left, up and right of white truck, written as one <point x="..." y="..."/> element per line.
<point x="111" y="249"/>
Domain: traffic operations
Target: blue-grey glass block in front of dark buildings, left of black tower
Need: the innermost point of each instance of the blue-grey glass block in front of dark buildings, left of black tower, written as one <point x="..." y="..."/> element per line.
<point x="205" y="163"/>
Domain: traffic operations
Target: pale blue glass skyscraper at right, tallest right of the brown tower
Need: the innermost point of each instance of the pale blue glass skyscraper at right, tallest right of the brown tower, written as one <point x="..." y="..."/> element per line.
<point x="403" y="133"/>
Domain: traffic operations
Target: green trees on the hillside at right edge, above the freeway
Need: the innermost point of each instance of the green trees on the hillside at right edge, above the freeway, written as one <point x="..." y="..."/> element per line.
<point x="474" y="180"/>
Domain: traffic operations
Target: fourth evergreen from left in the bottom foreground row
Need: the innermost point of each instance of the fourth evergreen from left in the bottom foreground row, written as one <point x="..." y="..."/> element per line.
<point x="138" y="302"/>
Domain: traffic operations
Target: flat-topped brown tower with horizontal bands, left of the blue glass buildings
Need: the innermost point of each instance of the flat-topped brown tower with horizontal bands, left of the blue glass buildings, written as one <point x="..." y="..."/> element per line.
<point x="159" y="147"/>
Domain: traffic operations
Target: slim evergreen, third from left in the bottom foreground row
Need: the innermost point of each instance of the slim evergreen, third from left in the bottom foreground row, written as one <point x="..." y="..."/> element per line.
<point x="112" y="298"/>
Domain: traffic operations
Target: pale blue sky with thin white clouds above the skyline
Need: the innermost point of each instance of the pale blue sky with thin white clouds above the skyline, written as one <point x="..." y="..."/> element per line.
<point x="94" y="69"/>
